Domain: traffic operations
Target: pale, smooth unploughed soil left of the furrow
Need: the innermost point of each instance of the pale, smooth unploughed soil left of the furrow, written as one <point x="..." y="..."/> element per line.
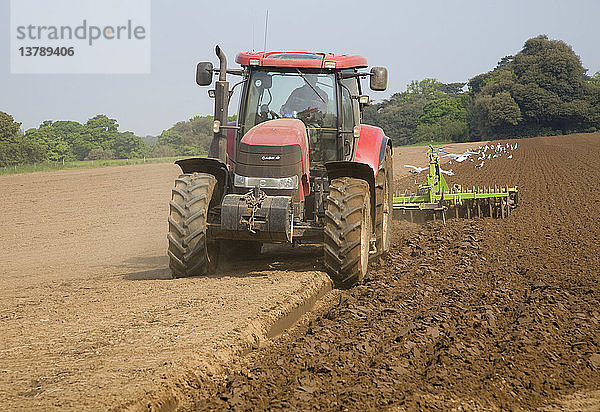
<point x="89" y="317"/>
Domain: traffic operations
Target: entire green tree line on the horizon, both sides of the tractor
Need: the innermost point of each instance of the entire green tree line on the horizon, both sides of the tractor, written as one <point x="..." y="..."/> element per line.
<point x="541" y="90"/>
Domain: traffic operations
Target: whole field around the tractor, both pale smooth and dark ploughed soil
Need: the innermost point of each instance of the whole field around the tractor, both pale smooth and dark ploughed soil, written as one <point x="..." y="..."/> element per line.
<point x="474" y="314"/>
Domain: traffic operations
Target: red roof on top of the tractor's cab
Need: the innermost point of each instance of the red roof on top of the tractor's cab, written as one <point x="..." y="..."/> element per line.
<point x="301" y="59"/>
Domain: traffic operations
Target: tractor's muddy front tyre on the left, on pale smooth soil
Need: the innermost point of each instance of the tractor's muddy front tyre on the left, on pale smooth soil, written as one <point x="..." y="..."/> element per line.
<point x="190" y="252"/>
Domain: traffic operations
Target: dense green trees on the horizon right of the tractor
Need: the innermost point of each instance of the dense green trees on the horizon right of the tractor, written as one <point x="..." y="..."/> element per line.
<point x="541" y="90"/>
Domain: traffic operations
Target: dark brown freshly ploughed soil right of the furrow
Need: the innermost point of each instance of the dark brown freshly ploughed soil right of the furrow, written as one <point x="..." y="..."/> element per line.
<point x="478" y="314"/>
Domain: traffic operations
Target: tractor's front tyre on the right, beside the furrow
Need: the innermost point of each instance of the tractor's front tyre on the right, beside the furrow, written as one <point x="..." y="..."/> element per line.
<point x="347" y="231"/>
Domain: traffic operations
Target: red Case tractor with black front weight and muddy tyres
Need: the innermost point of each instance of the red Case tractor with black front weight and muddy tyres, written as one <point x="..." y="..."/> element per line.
<point x="296" y="167"/>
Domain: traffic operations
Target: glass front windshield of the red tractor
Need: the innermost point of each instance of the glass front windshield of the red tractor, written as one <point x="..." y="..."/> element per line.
<point x="310" y="97"/>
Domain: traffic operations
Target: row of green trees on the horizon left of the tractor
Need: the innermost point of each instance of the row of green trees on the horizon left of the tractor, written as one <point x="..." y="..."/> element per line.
<point x="97" y="139"/>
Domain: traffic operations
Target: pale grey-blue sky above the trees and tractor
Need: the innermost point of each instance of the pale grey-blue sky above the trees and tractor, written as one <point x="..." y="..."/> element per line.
<point x="447" y="40"/>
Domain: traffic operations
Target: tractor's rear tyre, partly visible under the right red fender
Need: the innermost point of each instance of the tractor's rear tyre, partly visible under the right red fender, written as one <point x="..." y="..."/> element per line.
<point x="384" y="196"/>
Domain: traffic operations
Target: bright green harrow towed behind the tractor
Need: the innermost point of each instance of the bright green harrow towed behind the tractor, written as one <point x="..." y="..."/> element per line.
<point x="435" y="198"/>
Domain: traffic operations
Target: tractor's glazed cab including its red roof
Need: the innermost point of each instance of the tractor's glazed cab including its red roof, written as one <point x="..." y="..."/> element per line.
<point x="322" y="90"/>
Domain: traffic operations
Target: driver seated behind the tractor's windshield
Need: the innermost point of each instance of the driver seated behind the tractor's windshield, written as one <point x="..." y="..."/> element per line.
<point x="309" y="100"/>
